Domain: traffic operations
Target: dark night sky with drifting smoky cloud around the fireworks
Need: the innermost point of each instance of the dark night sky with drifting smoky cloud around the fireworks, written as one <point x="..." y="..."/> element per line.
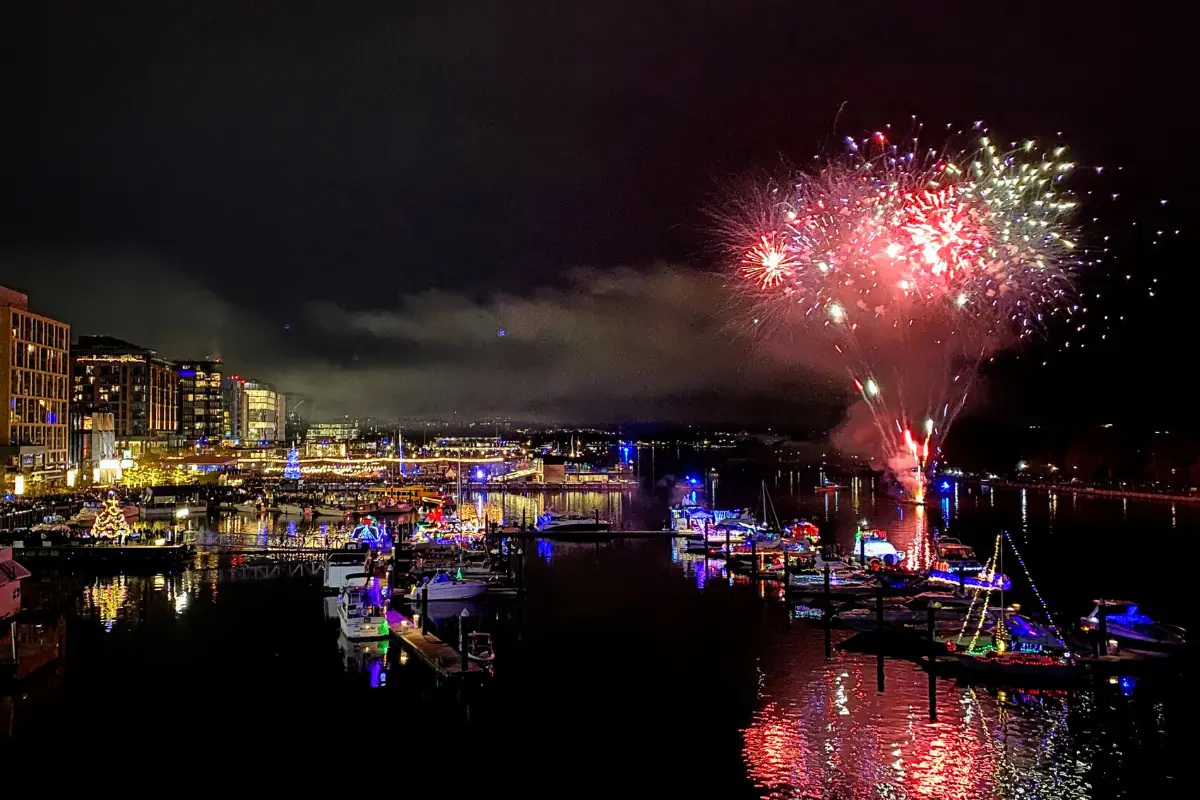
<point x="352" y="200"/>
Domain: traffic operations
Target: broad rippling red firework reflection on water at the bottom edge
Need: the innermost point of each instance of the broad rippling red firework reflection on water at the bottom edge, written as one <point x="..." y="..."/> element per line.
<point x="821" y="730"/>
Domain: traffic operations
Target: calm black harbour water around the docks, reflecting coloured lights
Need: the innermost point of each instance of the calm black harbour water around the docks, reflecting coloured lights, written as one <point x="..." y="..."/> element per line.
<point x="629" y="669"/>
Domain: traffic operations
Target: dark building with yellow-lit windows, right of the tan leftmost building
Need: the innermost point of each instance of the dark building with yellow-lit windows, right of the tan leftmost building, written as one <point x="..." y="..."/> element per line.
<point x="134" y="384"/>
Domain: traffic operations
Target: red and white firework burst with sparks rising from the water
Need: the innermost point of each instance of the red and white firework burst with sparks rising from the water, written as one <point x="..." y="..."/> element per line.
<point x="915" y="263"/>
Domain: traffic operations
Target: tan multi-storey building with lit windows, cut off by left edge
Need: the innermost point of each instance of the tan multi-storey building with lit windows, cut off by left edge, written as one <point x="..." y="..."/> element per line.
<point x="34" y="378"/>
